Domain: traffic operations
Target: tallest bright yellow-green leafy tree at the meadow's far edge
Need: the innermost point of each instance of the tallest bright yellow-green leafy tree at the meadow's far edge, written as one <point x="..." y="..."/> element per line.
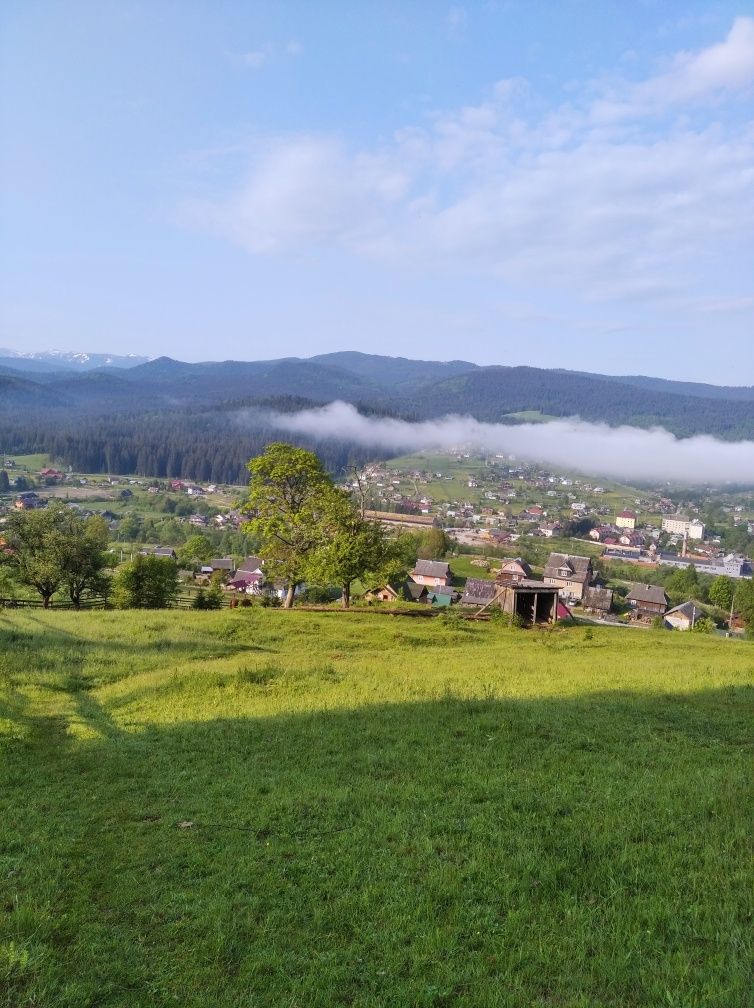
<point x="290" y="498"/>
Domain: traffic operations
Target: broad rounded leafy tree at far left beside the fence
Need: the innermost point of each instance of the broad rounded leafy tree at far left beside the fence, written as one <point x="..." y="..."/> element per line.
<point x="54" y="548"/>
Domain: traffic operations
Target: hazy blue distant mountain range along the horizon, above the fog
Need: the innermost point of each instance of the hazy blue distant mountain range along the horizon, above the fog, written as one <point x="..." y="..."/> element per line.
<point x="77" y="384"/>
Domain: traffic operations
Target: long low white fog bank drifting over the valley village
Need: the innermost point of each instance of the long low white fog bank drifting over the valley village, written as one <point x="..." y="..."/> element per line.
<point x="622" y="453"/>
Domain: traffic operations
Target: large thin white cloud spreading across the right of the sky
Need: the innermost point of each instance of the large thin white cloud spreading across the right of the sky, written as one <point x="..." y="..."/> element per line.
<point x="593" y="196"/>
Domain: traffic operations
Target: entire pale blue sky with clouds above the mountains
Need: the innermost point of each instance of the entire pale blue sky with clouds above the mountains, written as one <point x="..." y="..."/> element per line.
<point x="562" y="185"/>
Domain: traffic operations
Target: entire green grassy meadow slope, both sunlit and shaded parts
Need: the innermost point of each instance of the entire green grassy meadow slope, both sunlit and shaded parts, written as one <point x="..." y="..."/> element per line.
<point x="386" y="813"/>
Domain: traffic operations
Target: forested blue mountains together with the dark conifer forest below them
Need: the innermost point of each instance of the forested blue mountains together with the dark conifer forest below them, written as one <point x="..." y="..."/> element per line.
<point x="168" y="418"/>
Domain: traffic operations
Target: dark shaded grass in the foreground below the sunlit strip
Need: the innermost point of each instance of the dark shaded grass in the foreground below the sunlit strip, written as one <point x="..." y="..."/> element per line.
<point x="588" y="851"/>
